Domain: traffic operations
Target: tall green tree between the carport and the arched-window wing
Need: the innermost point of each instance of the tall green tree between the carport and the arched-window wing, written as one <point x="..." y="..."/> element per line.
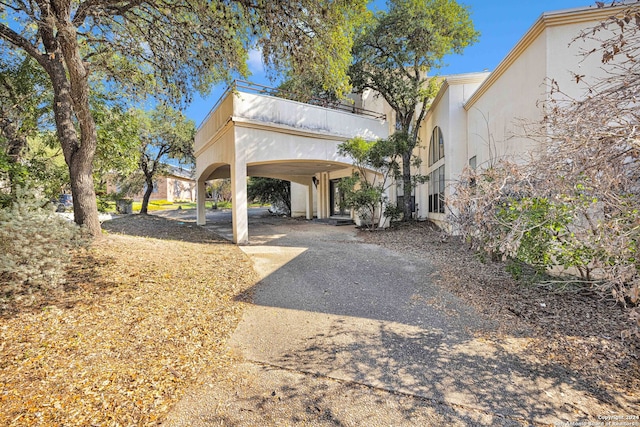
<point x="394" y="55"/>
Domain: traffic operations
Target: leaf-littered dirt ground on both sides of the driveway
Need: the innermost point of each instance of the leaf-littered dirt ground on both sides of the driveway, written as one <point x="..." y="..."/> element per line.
<point x="148" y="309"/>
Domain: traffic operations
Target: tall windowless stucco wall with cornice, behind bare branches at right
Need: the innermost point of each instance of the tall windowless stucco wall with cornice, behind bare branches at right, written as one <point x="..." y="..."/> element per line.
<point x="513" y="97"/>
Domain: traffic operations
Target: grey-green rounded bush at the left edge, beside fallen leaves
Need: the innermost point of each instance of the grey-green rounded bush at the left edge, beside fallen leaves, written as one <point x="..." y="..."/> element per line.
<point x="36" y="247"/>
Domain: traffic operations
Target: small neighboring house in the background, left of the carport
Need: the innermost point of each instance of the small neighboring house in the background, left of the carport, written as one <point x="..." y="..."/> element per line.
<point x="175" y="185"/>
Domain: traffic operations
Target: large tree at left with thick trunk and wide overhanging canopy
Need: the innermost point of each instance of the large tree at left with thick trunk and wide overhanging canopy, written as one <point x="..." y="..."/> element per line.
<point x="163" y="47"/>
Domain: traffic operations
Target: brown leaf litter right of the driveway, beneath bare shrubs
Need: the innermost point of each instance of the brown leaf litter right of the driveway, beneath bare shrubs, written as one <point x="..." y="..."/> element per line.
<point x="578" y="330"/>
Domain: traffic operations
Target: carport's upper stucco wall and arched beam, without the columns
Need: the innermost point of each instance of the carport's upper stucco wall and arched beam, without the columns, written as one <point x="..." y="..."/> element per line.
<point x="263" y="129"/>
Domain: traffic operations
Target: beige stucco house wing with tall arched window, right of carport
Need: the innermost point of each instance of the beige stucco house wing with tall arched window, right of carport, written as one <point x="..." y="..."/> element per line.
<point x="488" y="116"/>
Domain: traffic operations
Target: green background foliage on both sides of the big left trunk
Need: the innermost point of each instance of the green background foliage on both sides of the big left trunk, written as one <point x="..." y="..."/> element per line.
<point x="29" y="149"/>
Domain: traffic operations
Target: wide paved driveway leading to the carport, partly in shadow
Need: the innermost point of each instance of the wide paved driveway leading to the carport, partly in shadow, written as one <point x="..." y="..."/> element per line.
<point x="336" y="322"/>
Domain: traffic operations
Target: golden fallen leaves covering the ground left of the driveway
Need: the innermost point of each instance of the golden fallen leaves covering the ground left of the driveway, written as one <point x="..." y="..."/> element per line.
<point x="140" y="321"/>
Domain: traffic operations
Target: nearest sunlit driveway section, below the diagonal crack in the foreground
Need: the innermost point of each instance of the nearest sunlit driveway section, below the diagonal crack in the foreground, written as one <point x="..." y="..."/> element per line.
<point x="252" y="394"/>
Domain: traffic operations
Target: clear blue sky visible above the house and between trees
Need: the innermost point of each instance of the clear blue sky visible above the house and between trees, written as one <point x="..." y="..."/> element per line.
<point x="501" y="24"/>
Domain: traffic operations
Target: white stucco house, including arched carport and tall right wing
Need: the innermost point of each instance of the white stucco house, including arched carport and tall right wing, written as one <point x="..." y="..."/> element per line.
<point x="474" y="118"/>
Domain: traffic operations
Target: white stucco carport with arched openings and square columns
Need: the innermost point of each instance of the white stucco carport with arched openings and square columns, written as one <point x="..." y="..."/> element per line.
<point x="256" y="134"/>
